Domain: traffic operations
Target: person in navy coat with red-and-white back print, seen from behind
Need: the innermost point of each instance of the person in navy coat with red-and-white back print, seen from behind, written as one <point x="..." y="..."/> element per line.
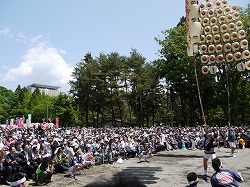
<point x="224" y="177"/>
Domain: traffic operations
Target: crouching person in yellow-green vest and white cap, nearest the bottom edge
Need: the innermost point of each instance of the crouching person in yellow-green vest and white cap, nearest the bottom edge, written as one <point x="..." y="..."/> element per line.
<point x="44" y="171"/>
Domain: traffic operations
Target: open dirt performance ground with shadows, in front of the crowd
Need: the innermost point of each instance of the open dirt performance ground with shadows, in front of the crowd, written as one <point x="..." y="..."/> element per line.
<point x="167" y="168"/>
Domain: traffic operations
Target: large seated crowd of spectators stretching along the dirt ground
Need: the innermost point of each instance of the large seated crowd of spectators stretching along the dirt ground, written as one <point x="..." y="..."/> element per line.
<point x="39" y="153"/>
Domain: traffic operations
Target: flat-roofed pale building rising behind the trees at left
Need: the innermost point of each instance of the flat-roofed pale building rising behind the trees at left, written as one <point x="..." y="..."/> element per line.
<point x="44" y="89"/>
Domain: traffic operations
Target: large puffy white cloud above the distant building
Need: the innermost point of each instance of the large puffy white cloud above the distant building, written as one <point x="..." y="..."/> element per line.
<point x="42" y="65"/>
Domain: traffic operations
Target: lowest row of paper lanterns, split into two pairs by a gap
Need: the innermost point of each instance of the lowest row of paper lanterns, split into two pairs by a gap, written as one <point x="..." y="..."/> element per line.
<point x="241" y="66"/>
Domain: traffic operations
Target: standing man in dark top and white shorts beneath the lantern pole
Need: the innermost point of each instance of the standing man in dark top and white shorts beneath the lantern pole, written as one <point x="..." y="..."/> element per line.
<point x="209" y="144"/>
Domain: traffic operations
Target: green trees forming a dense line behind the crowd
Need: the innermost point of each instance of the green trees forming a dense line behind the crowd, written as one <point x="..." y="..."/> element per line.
<point x="131" y="90"/>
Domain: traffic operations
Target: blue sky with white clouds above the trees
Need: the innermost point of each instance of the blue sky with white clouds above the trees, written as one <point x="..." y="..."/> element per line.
<point x="42" y="40"/>
